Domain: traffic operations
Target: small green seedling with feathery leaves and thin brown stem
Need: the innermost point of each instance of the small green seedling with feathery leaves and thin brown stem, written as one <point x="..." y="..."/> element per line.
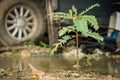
<point x="79" y="27"/>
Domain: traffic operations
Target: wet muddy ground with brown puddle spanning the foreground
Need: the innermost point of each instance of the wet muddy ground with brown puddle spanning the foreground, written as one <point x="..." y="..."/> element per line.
<point x="37" y="64"/>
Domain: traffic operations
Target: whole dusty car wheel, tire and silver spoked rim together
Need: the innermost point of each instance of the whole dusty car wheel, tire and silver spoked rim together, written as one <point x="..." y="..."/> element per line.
<point x="20" y="20"/>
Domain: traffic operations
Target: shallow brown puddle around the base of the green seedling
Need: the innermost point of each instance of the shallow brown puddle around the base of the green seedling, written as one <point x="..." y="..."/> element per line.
<point x="47" y="63"/>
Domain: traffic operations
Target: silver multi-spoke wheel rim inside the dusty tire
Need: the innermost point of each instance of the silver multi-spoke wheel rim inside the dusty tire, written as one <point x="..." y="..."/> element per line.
<point x="20" y="22"/>
